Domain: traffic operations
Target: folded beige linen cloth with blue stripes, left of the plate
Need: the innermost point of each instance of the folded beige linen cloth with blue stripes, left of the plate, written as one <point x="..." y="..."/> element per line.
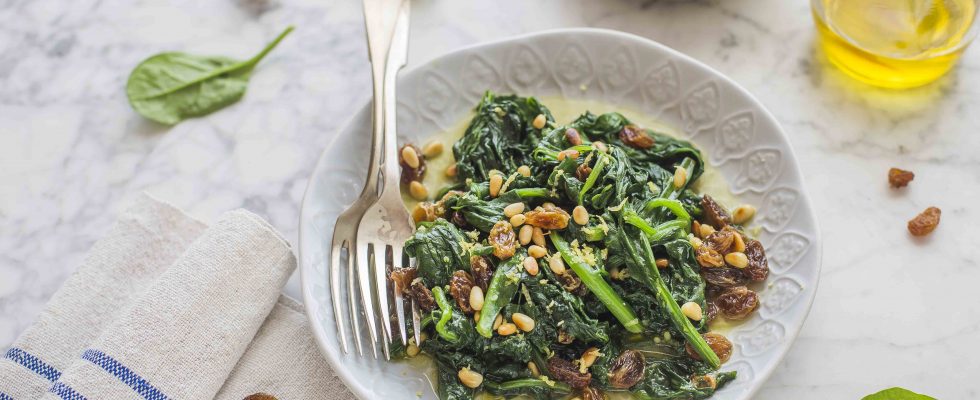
<point x="165" y="307"/>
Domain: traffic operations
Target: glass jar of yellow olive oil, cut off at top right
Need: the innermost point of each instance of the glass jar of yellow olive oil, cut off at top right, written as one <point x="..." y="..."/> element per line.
<point x="895" y="43"/>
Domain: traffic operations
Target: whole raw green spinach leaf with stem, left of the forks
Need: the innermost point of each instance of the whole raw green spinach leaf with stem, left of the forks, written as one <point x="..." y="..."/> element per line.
<point x="170" y="87"/>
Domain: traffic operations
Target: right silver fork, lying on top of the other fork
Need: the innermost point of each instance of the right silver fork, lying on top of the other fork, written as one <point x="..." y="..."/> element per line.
<point x="386" y="225"/>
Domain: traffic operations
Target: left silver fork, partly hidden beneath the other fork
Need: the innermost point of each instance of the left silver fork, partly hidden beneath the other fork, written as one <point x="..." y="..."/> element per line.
<point x="380" y="17"/>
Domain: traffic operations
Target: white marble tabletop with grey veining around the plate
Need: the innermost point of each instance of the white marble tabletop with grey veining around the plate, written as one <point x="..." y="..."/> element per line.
<point x="890" y="310"/>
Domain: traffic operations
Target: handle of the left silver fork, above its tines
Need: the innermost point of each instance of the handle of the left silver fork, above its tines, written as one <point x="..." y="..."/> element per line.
<point x="380" y="18"/>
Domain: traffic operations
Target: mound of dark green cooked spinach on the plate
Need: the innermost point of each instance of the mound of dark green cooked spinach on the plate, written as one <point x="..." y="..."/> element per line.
<point x="604" y="291"/>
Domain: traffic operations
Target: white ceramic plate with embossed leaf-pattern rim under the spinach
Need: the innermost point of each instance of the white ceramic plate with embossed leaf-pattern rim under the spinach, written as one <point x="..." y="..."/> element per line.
<point x="743" y="140"/>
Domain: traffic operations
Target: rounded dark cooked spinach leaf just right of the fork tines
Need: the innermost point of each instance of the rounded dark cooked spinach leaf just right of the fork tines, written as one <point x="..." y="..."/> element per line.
<point x="438" y="248"/>
